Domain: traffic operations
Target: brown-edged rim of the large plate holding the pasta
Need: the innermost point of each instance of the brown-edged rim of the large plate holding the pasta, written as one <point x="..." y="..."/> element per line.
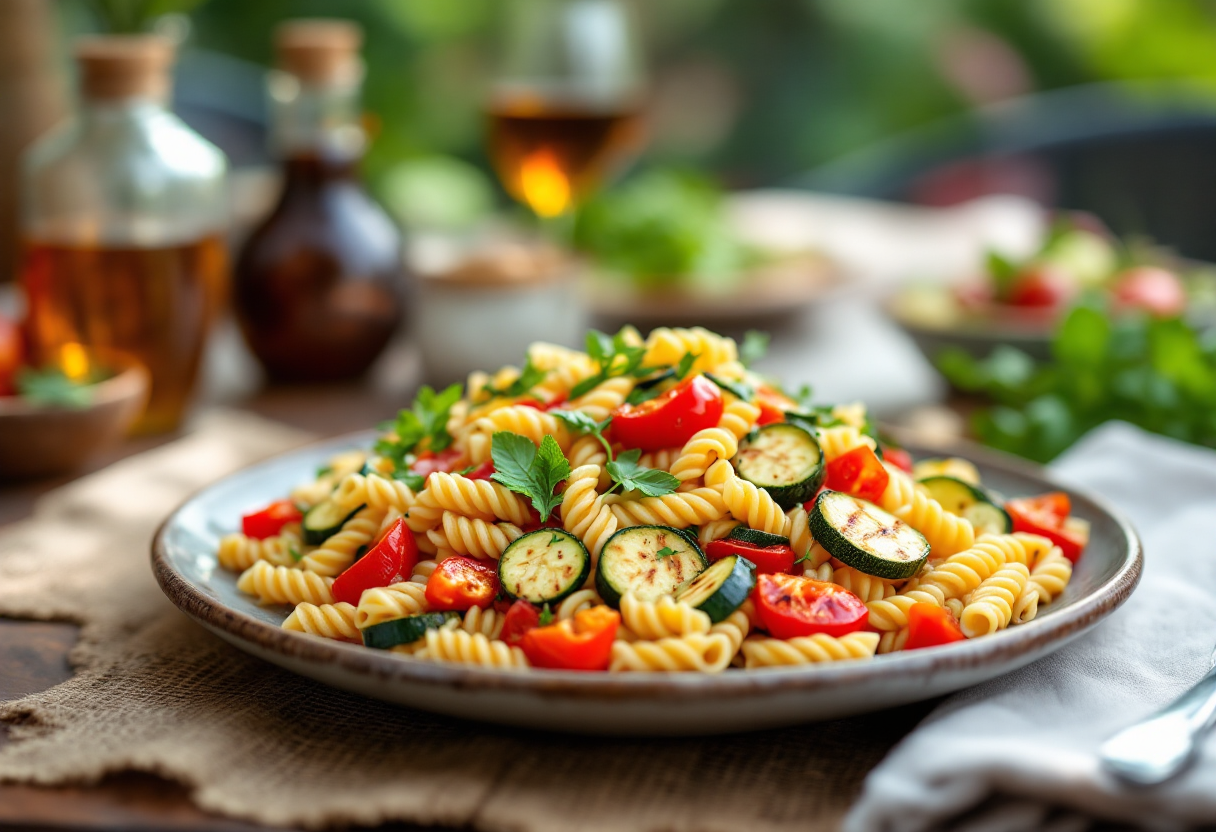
<point x="1033" y="638"/>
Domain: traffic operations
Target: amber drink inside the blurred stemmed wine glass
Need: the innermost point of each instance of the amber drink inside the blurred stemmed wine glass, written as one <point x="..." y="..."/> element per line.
<point x="549" y="155"/>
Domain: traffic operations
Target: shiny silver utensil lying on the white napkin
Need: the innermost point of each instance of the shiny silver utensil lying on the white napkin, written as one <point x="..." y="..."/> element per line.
<point x="1164" y="745"/>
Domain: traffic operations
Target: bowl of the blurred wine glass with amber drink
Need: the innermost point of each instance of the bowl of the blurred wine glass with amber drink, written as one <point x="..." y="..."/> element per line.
<point x="566" y="106"/>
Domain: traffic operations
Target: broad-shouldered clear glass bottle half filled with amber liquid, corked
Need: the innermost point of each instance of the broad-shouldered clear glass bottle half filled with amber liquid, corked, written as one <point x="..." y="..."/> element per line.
<point x="123" y="221"/>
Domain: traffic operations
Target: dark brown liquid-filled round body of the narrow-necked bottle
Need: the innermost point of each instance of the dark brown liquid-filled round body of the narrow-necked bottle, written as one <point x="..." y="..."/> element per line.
<point x="319" y="288"/>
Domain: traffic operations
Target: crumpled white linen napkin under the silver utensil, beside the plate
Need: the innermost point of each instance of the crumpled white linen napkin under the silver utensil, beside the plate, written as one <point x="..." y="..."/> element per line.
<point x="1029" y="740"/>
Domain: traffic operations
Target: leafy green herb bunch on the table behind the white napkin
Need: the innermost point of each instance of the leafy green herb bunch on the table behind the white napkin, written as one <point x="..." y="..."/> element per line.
<point x="1159" y="375"/>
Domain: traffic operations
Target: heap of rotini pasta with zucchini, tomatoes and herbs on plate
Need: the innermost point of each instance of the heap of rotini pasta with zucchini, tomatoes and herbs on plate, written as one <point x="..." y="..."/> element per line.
<point x="648" y="505"/>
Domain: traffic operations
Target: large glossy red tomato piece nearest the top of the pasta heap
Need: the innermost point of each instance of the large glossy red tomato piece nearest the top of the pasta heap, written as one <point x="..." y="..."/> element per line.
<point x="671" y="419"/>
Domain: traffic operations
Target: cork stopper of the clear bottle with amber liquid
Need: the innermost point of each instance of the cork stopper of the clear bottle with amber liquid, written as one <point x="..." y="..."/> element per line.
<point x="125" y="66"/>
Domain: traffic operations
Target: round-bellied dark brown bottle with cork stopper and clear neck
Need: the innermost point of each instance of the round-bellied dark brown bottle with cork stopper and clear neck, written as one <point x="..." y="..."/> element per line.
<point x="320" y="286"/>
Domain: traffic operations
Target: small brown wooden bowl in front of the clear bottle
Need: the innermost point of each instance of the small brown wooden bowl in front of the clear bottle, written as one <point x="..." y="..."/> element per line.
<point x="40" y="441"/>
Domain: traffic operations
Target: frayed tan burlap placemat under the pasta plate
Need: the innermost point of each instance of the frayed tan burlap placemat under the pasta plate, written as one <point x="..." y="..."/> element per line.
<point x="157" y="694"/>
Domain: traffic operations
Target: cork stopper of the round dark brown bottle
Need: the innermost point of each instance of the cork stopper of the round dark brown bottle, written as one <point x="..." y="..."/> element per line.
<point x="320" y="52"/>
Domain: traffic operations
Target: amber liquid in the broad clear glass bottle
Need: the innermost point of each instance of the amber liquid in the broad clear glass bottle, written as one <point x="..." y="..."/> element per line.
<point x="153" y="305"/>
